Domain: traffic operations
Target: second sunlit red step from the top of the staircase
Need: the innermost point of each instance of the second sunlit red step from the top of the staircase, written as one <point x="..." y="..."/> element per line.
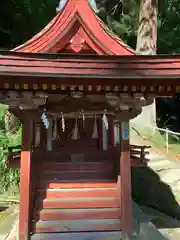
<point x="76" y="192"/>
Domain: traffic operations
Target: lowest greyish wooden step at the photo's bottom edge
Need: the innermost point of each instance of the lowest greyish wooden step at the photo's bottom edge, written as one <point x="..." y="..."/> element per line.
<point x="113" y="235"/>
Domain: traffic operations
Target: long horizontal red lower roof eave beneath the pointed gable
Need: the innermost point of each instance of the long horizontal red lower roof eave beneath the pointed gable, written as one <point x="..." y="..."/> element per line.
<point x="91" y="66"/>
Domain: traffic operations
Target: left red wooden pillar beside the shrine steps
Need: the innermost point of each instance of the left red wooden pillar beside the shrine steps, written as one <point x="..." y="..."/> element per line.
<point x="25" y="176"/>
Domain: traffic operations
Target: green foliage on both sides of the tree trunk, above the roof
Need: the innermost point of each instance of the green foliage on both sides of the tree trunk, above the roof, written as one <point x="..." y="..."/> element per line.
<point x="123" y="20"/>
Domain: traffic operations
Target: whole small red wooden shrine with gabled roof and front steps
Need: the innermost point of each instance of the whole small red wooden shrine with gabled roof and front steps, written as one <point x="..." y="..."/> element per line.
<point x="75" y="86"/>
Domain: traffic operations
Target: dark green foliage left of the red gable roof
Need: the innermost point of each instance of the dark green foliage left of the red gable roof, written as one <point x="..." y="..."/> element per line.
<point x="21" y="19"/>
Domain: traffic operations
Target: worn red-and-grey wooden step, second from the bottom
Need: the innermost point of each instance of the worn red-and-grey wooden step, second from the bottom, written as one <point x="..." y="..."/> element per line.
<point x="77" y="225"/>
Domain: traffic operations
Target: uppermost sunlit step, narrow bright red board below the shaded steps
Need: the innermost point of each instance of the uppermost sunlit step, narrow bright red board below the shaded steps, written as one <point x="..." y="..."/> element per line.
<point x="80" y="183"/>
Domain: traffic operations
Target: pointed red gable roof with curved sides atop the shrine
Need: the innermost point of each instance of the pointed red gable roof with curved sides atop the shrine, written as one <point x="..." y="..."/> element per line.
<point x="76" y="29"/>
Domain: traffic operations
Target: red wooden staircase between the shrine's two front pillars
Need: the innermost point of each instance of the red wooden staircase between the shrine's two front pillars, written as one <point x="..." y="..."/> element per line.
<point x="76" y="201"/>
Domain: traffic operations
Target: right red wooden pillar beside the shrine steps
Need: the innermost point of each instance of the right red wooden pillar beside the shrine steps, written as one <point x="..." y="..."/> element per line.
<point x="125" y="176"/>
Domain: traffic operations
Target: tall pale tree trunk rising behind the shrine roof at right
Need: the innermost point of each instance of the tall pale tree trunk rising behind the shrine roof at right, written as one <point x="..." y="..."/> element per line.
<point x="147" y="45"/>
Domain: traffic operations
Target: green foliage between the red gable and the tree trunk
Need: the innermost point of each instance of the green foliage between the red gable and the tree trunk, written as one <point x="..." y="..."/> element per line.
<point x="121" y="17"/>
